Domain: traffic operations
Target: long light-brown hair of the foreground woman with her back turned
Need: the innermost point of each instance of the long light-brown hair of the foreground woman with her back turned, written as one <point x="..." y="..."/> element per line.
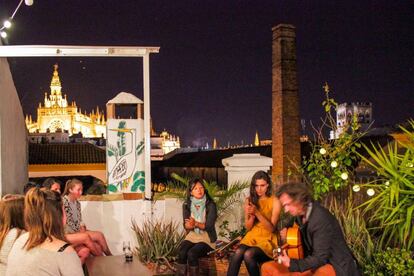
<point x="43" y="216"/>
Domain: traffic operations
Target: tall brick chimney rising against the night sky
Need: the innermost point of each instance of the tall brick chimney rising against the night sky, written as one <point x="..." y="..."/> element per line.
<point x="285" y="103"/>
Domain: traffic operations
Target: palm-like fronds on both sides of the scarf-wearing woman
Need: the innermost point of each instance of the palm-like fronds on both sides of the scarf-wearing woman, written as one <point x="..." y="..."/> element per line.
<point x="224" y="199"/>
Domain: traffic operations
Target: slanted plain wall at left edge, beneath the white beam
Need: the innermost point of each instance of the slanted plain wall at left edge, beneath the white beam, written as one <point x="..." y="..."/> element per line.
<point x="13" y="135"/>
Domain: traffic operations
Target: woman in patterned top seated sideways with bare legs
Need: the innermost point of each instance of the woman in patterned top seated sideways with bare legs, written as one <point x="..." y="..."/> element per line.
<point x="75" y="229"/>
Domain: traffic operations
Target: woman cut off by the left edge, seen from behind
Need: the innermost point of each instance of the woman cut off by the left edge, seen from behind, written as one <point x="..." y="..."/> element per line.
<point x="11" y="226"/>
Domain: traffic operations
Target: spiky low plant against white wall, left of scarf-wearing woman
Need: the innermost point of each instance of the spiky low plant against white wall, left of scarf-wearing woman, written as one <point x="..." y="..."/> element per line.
<point x="158" y="242"/>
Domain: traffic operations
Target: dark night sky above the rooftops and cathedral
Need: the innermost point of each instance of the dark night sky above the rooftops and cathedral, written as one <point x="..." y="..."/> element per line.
<point x="212" y="77"/>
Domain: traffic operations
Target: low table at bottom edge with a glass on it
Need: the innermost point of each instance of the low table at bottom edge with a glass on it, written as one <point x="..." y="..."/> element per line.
<point x="114" y="266"/>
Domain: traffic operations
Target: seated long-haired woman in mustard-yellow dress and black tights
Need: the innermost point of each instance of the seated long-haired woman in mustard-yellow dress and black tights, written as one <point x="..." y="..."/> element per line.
<point x="262" y="211"/>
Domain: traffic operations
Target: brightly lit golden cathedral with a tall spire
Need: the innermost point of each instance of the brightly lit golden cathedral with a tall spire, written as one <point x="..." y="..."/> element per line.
<point x="56" y="115"/>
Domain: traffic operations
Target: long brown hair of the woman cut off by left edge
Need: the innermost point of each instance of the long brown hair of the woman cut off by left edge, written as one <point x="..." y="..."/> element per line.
<point x="11" y="215"/>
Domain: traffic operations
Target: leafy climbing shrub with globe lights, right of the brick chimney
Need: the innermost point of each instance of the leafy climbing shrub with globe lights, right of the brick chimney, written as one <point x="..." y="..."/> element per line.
<point x="331" y="162"/>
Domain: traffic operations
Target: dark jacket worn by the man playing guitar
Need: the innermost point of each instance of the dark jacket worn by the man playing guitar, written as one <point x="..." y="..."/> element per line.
<point x="324" y="243"/>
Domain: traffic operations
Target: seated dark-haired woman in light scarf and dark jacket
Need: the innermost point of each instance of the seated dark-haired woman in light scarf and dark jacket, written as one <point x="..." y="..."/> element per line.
<point x="199" y="215"/>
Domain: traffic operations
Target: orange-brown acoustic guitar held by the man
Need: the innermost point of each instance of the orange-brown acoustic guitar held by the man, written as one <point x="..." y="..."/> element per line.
<point x="293" y="245"/>
